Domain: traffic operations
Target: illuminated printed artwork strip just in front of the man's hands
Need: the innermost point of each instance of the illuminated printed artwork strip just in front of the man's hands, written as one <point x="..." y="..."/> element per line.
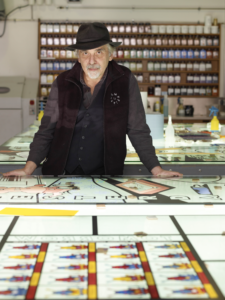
<point x="119" y="190"/>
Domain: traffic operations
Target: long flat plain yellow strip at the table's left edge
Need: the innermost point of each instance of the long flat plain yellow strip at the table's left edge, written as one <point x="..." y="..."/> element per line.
<point x="38" y="212"/>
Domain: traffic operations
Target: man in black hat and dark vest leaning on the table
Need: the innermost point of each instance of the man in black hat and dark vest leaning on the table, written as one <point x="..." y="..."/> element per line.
<point x="90" y="110"/>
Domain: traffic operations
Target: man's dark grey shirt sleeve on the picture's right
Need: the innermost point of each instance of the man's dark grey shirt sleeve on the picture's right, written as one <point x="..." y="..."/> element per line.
<point x="137" y="128"/>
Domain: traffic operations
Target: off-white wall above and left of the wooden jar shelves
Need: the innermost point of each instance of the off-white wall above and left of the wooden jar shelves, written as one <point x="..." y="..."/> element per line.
<point x="18" y="47"/>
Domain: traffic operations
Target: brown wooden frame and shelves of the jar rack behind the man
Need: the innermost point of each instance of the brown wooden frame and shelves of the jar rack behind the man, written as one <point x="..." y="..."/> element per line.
<point x="215" y="62"/>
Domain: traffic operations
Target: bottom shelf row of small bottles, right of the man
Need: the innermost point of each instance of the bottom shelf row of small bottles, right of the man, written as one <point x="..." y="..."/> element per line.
<point x="184" y="91"/>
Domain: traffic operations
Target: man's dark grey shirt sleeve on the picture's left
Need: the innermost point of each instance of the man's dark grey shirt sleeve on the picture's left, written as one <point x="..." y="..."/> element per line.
<point x="42" y="140"/>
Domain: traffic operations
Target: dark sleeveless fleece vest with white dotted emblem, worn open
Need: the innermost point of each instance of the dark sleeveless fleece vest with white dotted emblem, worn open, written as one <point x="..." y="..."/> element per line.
<point x="115" y="105"/>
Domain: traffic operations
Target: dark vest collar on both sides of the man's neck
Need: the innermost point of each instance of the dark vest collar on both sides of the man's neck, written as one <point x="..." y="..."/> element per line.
<point x="114" y="72"/>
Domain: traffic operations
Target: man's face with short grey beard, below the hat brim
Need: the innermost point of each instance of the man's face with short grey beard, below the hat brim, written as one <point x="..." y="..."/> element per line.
<point x="95" y="61"/>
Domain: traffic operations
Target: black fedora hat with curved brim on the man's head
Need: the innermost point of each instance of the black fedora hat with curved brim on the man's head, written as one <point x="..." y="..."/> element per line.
<point x="91" y="36"/>
